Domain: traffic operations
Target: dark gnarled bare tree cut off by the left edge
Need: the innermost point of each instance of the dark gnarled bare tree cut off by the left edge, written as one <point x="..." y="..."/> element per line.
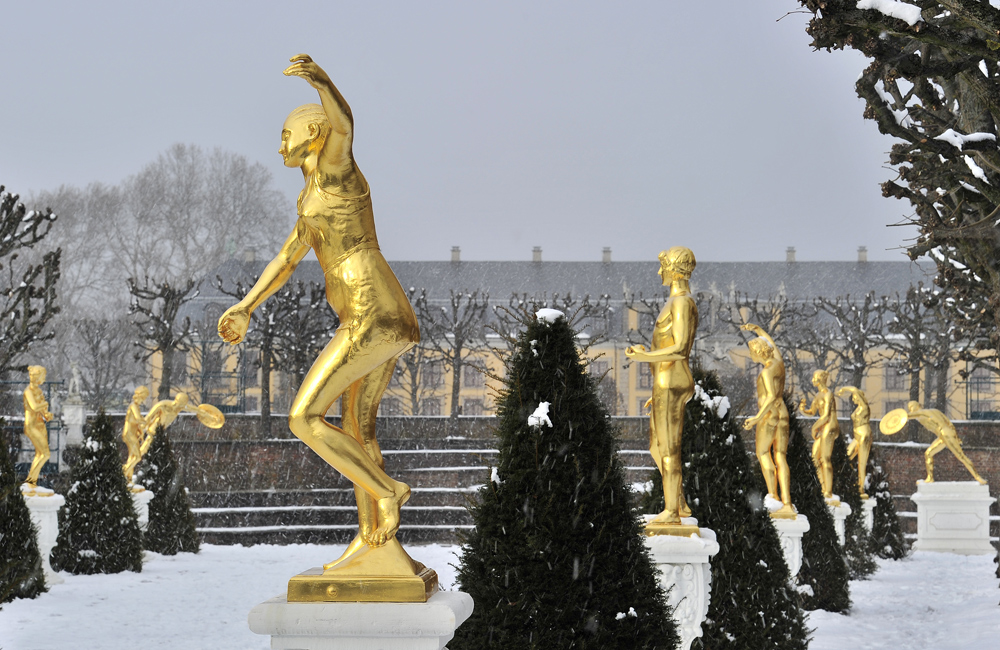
<point x="28" y="300"/>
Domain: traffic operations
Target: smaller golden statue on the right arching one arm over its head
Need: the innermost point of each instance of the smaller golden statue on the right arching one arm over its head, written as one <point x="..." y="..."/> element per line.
<point x="771" y="421"/>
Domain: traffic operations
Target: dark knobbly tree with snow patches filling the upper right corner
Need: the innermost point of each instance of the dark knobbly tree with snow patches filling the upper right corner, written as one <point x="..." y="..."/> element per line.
<point x="933" y="85"/>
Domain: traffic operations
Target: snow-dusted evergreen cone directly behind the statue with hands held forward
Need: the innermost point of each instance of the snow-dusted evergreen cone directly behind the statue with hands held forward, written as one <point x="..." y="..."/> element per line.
<point x="753" y="605"/>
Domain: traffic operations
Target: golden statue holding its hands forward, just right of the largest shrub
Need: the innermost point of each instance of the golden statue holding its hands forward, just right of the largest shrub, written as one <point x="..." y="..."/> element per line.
<point x="673" y="386"/>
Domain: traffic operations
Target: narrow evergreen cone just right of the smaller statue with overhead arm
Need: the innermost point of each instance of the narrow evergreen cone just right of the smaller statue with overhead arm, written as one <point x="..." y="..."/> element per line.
<point x="823" y="579"/>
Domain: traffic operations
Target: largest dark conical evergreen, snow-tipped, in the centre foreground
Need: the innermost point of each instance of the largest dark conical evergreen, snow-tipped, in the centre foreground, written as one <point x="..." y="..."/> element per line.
<point x="556" y="559"/>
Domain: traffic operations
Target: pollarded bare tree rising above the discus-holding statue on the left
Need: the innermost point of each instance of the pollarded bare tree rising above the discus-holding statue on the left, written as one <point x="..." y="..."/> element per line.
<point x="155" y="307"/>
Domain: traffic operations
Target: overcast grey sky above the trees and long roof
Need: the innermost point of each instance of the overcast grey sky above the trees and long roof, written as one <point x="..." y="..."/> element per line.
<point x="565" y="125"/>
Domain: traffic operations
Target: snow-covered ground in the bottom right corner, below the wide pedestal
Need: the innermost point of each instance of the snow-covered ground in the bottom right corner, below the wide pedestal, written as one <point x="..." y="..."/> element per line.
<point x="936" y="601"/>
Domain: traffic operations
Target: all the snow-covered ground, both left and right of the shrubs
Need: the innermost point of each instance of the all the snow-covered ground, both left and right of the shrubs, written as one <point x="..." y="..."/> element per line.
<point x="930" y="600"/>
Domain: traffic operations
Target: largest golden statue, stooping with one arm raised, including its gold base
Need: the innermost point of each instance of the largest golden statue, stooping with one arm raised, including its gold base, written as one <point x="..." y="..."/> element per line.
<point x="336" y="222"/>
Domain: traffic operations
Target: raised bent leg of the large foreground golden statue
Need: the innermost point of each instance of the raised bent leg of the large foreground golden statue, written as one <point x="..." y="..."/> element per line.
<point x="348" y="358"/>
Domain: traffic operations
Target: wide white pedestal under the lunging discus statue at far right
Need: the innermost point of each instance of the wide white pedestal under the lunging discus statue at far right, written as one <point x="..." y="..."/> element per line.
<point x="953" y="517"/>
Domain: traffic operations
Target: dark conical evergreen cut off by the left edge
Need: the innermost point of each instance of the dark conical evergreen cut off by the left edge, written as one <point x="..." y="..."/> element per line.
<point x="21" y="573"/>
